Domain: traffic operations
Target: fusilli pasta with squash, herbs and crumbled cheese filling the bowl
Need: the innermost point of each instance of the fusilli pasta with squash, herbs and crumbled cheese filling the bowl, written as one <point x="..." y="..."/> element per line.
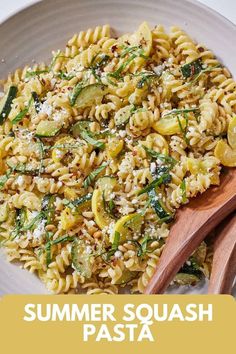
<point x="101" y="146"/>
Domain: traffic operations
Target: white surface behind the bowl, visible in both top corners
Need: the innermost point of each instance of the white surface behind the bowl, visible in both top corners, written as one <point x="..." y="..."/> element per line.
<point x="226" y="8"/>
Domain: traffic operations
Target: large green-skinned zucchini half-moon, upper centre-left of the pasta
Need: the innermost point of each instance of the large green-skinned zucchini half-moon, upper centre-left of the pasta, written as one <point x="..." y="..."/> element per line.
<point x="89" y="94"/>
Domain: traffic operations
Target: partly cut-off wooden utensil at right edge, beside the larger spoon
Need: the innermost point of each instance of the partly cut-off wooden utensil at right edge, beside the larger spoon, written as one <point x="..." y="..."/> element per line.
<point x="224" y="259"/>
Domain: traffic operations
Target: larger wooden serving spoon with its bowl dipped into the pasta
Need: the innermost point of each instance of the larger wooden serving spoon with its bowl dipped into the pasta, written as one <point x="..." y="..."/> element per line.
<point x="193" y="223"/>
